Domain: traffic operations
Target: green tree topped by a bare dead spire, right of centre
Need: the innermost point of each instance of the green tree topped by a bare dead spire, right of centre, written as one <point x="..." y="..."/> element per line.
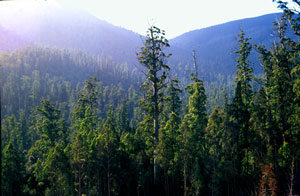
<point x="193" y="132"/>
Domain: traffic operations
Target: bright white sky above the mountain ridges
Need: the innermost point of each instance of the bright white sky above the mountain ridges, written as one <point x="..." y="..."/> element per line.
<point x="174" y="16"/>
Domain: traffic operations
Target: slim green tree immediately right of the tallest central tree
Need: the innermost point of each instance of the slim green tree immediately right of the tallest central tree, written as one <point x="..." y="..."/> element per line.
<point x="170" y="143"/>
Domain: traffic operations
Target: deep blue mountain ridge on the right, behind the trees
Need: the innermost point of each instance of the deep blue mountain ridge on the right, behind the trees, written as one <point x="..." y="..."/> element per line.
<point x="215" y="45"/>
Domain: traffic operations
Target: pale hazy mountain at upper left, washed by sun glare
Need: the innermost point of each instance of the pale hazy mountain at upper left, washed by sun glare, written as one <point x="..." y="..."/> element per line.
<point x="64" y="28"/>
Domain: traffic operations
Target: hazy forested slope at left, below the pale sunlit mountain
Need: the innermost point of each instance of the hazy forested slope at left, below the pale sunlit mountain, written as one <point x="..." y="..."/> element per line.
<point x="30" y="75"/>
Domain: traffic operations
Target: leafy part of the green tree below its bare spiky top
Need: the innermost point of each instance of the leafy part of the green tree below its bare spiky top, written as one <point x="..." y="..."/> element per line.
<point x="196" y="121"/>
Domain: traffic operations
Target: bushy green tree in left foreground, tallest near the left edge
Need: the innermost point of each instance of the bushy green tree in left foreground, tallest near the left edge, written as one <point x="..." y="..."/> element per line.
<point x="51" y="131"/>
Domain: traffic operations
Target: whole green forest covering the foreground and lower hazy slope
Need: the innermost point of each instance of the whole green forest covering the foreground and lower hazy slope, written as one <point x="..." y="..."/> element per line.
<point x="76" y="124"/>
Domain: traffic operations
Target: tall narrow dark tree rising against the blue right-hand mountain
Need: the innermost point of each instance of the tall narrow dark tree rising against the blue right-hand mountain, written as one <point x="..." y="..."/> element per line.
<point x="241" y="112"/>
